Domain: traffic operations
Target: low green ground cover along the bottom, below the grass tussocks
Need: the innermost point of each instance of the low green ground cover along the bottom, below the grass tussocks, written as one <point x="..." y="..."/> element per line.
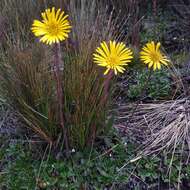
<point x="90" y="169"/>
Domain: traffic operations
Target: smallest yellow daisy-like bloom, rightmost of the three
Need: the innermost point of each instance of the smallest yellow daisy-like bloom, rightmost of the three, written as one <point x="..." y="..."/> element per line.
<point x="152" y="55"/>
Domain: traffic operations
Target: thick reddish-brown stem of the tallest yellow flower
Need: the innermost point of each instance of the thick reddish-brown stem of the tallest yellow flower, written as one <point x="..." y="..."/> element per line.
<point x="57" y="75"/>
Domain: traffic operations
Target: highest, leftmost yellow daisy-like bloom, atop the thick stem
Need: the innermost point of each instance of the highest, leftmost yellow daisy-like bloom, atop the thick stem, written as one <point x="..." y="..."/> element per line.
<point x="53" y="28"/>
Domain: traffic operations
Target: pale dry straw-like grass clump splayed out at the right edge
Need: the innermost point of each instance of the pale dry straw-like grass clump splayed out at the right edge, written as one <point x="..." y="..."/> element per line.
<point x="163" y="126"/>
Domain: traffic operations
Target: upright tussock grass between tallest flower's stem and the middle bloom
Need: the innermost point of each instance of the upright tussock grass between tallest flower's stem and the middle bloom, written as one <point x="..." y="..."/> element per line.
<point x="85" y="111"/>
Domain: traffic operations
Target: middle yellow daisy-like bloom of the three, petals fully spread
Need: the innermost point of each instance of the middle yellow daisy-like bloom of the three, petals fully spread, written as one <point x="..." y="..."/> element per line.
<point x="113" y="56"/>
